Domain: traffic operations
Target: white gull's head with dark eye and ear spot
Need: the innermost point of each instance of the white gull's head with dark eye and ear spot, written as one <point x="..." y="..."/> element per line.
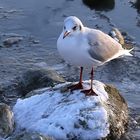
<point x="72" y="26"/>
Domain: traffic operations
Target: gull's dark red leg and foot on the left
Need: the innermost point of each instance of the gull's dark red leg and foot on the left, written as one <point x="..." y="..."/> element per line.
<point x="78" y="85"/>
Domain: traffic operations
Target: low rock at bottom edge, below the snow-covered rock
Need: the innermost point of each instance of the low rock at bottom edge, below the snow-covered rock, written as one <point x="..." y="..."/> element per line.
<point x="28" y="136"/>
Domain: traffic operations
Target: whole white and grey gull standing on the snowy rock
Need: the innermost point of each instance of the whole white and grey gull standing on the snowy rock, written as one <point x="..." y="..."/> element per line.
<point x="87" y="48"/>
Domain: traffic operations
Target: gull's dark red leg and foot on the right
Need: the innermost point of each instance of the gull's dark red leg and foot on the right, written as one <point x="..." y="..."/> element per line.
<point x="90" y="92"/>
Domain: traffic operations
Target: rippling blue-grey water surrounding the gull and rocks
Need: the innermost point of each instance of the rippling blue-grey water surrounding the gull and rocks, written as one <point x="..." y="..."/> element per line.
<point x="39" y="24"/>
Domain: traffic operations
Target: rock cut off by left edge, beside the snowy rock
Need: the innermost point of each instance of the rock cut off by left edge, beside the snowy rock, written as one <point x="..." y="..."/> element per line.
<point x="6" y="120"/>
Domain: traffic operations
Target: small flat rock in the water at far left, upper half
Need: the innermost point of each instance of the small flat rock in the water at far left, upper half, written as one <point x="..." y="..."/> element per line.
<point x="11" y="41"/>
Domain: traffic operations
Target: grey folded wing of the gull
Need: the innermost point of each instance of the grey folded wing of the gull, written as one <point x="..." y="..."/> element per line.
<point x="102" y="46"/>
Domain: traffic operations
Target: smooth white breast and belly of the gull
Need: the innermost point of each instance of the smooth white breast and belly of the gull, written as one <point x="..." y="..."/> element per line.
<point x="75" y="51"/>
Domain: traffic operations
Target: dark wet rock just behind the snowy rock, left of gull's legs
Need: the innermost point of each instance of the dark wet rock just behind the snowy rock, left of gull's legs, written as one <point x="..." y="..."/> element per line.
<point x="38" y="78"/>
